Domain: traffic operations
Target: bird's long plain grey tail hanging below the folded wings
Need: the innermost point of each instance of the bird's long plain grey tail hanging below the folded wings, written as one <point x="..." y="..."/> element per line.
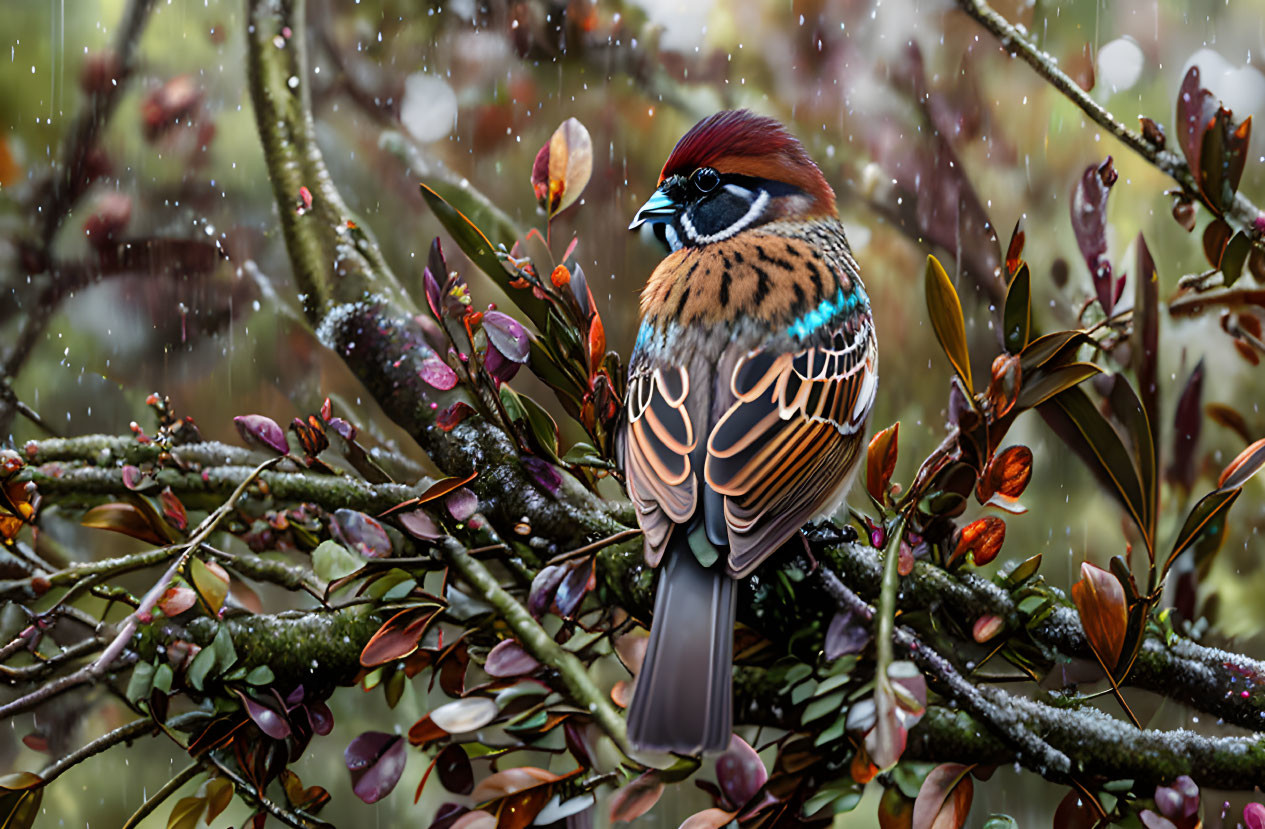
<point x="684" y="698"/>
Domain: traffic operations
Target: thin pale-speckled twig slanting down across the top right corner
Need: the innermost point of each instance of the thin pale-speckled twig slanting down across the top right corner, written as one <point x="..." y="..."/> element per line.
<point x="1243" y="212"/>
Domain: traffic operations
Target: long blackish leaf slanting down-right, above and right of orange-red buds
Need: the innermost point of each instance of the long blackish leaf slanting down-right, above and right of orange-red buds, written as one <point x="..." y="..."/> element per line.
<point x="1085" y="430"/>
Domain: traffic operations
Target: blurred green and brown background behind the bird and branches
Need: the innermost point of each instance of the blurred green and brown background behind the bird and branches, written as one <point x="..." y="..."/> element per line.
<point x="470" y="92"/>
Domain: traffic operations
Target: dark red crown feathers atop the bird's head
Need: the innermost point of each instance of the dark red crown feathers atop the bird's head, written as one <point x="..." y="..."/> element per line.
<point x="746" y="144"/>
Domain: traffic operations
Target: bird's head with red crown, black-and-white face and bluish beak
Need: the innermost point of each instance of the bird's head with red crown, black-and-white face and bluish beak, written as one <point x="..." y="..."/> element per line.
<point x="731" y="173"/>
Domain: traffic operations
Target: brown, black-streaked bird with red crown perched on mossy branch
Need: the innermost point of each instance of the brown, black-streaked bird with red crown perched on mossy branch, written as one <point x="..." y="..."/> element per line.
<point x="751" y="385"/>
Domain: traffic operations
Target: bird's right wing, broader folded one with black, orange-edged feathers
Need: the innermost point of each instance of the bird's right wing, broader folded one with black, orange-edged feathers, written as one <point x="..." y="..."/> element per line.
<point x="789" y="442"/>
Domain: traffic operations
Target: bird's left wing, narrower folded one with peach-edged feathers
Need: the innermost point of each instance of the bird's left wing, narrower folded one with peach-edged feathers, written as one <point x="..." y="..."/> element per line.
<point x="658" y="441"/>
